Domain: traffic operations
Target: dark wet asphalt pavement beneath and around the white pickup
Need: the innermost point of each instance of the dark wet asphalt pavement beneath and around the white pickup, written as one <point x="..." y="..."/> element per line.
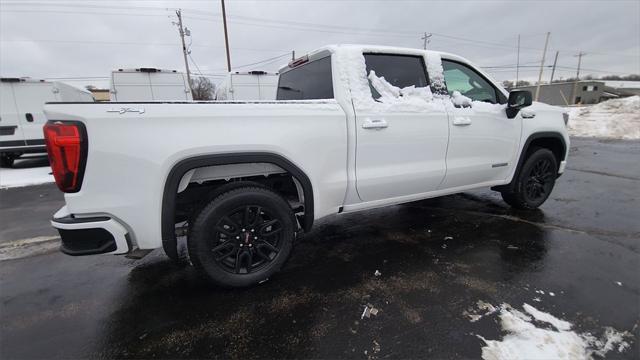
<point x="581" y="242"/>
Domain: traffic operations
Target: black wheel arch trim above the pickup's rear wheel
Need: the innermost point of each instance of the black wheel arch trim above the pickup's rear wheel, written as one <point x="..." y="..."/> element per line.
<point x="172" y="182"/>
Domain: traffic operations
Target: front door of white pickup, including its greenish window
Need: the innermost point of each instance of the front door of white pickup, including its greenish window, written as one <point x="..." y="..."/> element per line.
<point x="483" y="142"/>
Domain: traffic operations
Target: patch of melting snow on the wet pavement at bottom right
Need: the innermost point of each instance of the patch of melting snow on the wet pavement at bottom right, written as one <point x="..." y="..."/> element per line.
<point x="534" y="334"/>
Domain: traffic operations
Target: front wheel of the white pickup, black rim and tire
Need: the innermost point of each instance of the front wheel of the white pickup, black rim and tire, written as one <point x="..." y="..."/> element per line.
<point x="534" y="182"/>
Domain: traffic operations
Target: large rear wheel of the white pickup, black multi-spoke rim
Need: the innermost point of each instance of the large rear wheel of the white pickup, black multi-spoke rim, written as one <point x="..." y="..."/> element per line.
<point x="242" y="237"/>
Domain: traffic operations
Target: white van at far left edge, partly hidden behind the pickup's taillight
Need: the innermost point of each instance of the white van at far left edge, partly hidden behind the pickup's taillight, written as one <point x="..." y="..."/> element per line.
<point x="21" y="116"/>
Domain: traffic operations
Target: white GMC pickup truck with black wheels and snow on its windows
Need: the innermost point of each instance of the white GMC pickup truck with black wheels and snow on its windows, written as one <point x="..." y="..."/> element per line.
<point x="353" y="128"/>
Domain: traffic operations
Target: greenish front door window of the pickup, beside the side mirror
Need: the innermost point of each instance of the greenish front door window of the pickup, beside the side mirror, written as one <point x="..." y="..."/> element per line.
<point x="469" y="83"/>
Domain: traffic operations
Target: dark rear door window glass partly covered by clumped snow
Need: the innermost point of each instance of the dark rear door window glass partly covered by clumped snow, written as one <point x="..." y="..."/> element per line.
<point x="398" y="70"/>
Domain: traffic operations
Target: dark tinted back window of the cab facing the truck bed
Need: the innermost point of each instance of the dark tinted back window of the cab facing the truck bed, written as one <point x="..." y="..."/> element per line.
<point x="308" y="81"/>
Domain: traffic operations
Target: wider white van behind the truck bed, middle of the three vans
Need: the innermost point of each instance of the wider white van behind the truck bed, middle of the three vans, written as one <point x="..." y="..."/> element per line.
<point x="149" y="84"/>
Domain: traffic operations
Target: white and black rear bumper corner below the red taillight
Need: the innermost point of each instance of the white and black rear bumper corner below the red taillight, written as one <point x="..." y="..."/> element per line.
<point x="90" y="235"/>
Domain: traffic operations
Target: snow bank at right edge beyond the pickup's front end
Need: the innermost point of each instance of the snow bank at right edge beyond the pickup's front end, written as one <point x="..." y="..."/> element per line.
<point x="617" y="118"/>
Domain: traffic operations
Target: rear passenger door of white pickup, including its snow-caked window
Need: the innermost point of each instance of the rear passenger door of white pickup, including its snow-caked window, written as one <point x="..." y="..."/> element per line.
<point x="401" y="148"/>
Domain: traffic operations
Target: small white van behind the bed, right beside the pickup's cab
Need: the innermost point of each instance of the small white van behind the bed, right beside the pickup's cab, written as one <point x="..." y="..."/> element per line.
<point x="252" y="85"/>
